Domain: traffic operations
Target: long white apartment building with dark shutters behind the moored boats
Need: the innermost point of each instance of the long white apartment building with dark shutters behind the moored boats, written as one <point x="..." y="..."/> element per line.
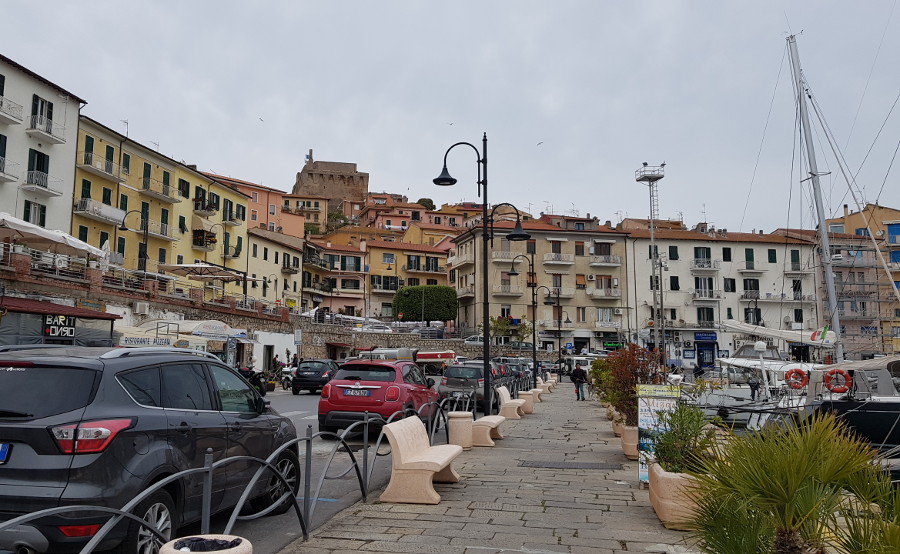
<point x="706" y="276"/>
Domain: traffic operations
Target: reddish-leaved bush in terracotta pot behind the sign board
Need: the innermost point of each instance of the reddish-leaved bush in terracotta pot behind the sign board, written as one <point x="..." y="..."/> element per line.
<point x="629" y="367"/>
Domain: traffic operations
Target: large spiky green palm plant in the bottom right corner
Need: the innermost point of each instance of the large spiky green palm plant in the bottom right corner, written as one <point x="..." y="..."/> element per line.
<point x="796" y="489"/>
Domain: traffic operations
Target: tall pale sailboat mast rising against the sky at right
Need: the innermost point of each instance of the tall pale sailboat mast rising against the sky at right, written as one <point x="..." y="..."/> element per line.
<point x="800" y="88"/>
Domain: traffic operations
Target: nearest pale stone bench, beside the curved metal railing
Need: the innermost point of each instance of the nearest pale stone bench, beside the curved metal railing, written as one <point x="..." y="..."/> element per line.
<point x="416" y="465"/>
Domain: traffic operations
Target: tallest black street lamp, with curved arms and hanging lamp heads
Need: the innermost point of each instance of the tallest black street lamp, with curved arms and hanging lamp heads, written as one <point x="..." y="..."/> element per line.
<point x="445" y="180"/>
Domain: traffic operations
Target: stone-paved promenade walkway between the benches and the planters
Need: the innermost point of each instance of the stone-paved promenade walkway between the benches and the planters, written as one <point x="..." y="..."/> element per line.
<point x="557" y="482"/>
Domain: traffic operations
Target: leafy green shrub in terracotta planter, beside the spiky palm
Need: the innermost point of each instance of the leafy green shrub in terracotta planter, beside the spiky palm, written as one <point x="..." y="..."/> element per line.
<point x="684" y="441"/>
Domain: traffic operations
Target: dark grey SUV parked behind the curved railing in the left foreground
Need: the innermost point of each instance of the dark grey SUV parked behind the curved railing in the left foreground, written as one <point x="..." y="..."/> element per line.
<point x="96" y="426"/>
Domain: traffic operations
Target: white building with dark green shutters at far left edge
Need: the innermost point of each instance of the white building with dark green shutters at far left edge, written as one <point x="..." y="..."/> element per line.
<point x="38" y="141"/>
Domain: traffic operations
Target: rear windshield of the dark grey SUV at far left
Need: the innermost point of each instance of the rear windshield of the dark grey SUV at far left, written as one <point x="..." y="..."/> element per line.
<point x="24" y="391"/>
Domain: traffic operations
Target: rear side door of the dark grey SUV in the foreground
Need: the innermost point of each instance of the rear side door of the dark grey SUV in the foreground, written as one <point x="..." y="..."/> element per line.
<point x="194" y="425"/>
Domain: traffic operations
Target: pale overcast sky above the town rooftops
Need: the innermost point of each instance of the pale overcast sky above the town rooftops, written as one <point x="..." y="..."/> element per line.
<point x="573" y="95"/>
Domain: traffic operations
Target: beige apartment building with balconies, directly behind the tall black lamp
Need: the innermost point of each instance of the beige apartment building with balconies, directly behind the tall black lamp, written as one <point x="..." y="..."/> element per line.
<point x="578" y="265"/>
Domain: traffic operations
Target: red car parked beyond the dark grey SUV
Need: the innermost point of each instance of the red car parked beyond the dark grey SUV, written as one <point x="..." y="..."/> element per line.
<point x="380" y="387"/>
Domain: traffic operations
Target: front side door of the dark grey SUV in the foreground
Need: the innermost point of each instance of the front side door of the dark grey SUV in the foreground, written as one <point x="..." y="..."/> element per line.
<point x="250" y="433"/>
